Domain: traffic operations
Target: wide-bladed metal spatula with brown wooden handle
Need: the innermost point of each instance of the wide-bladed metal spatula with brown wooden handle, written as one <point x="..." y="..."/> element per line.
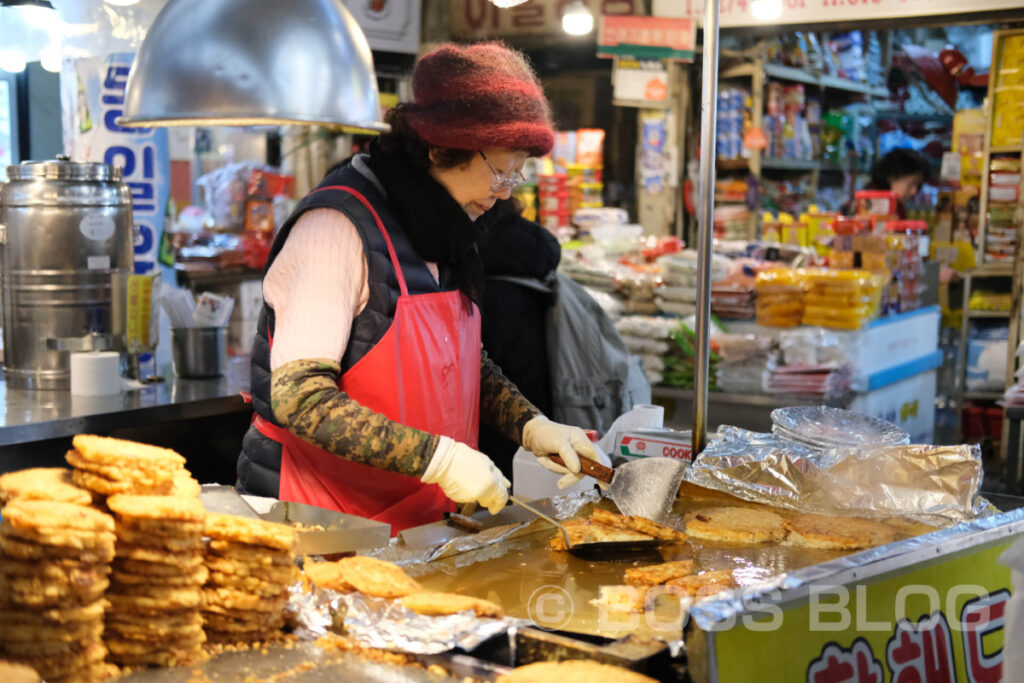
<point x="647" y="487"/>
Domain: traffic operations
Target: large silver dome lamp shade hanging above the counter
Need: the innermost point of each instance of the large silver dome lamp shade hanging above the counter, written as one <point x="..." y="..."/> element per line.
<point x="250" y="63"/>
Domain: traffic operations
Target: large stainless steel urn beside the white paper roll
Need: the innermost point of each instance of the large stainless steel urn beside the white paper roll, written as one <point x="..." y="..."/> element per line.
<point x="67" y="232"/>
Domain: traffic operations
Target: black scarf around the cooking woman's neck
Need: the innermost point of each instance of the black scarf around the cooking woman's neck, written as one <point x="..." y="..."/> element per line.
<point x="439" y="229"/>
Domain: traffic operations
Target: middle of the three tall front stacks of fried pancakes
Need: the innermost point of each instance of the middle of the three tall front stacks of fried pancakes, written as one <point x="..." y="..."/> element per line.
<point x="156" y="588"/>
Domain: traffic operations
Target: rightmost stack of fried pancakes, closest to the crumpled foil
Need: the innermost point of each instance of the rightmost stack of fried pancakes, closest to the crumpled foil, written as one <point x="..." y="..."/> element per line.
<point x="251" y="565"/>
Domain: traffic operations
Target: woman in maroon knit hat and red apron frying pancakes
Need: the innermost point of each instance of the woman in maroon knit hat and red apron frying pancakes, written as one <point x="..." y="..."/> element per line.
<point x="368" y="374"/>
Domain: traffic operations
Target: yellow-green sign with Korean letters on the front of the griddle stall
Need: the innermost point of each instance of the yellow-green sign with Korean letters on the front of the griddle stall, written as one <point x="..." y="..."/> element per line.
<point x="940" y="624"/>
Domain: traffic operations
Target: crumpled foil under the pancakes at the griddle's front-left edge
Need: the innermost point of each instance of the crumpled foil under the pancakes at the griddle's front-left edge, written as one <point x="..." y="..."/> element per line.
<point x="387" y="624"/>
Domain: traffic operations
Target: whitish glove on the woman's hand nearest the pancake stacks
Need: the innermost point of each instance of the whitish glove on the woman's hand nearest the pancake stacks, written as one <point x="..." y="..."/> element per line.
<point x="466" y="476"/>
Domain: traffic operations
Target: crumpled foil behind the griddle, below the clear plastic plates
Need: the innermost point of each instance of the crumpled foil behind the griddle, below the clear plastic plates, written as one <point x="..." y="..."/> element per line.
<point x="934" y="485"/>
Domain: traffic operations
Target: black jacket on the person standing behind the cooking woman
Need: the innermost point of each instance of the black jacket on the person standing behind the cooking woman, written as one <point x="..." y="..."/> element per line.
<point x="514" y="316"/>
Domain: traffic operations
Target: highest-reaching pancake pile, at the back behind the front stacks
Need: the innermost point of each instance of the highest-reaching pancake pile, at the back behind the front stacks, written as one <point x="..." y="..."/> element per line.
<point x="110" y="466"/>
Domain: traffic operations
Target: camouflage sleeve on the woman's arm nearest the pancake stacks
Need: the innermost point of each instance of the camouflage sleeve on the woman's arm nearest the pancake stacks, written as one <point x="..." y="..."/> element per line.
<point x="307" y="401"/>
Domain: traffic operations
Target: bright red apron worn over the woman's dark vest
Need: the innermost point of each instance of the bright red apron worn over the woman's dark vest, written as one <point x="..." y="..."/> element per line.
<point x="424" y="373"/>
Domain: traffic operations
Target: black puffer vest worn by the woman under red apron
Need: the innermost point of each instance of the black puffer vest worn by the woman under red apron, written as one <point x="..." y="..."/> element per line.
<point x="260" y="463"/>
